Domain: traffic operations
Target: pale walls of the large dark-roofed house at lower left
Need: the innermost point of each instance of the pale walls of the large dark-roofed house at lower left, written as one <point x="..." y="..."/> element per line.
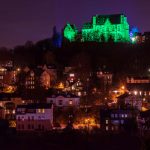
<point x="41" y="119"/>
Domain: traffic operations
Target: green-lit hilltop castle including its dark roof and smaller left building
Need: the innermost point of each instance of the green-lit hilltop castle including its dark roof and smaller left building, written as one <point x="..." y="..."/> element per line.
<point x="102" y="28"/>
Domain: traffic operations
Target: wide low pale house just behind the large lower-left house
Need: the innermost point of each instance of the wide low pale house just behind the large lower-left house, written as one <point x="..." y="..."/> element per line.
<point x="64" y="100"/>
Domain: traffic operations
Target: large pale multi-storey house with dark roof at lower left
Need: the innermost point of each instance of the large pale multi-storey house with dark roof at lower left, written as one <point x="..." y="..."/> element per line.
<point x="33" y="117"/>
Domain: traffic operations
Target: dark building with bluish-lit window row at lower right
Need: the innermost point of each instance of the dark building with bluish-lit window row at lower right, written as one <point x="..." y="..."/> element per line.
<point x="116" y="119"/>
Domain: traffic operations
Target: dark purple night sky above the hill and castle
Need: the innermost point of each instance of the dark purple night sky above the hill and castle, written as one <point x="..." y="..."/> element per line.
<point x="22" y="20"/>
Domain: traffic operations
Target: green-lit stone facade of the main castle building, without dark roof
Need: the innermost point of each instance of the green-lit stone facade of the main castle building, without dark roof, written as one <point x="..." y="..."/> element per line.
<point x="107" y="31"/>
